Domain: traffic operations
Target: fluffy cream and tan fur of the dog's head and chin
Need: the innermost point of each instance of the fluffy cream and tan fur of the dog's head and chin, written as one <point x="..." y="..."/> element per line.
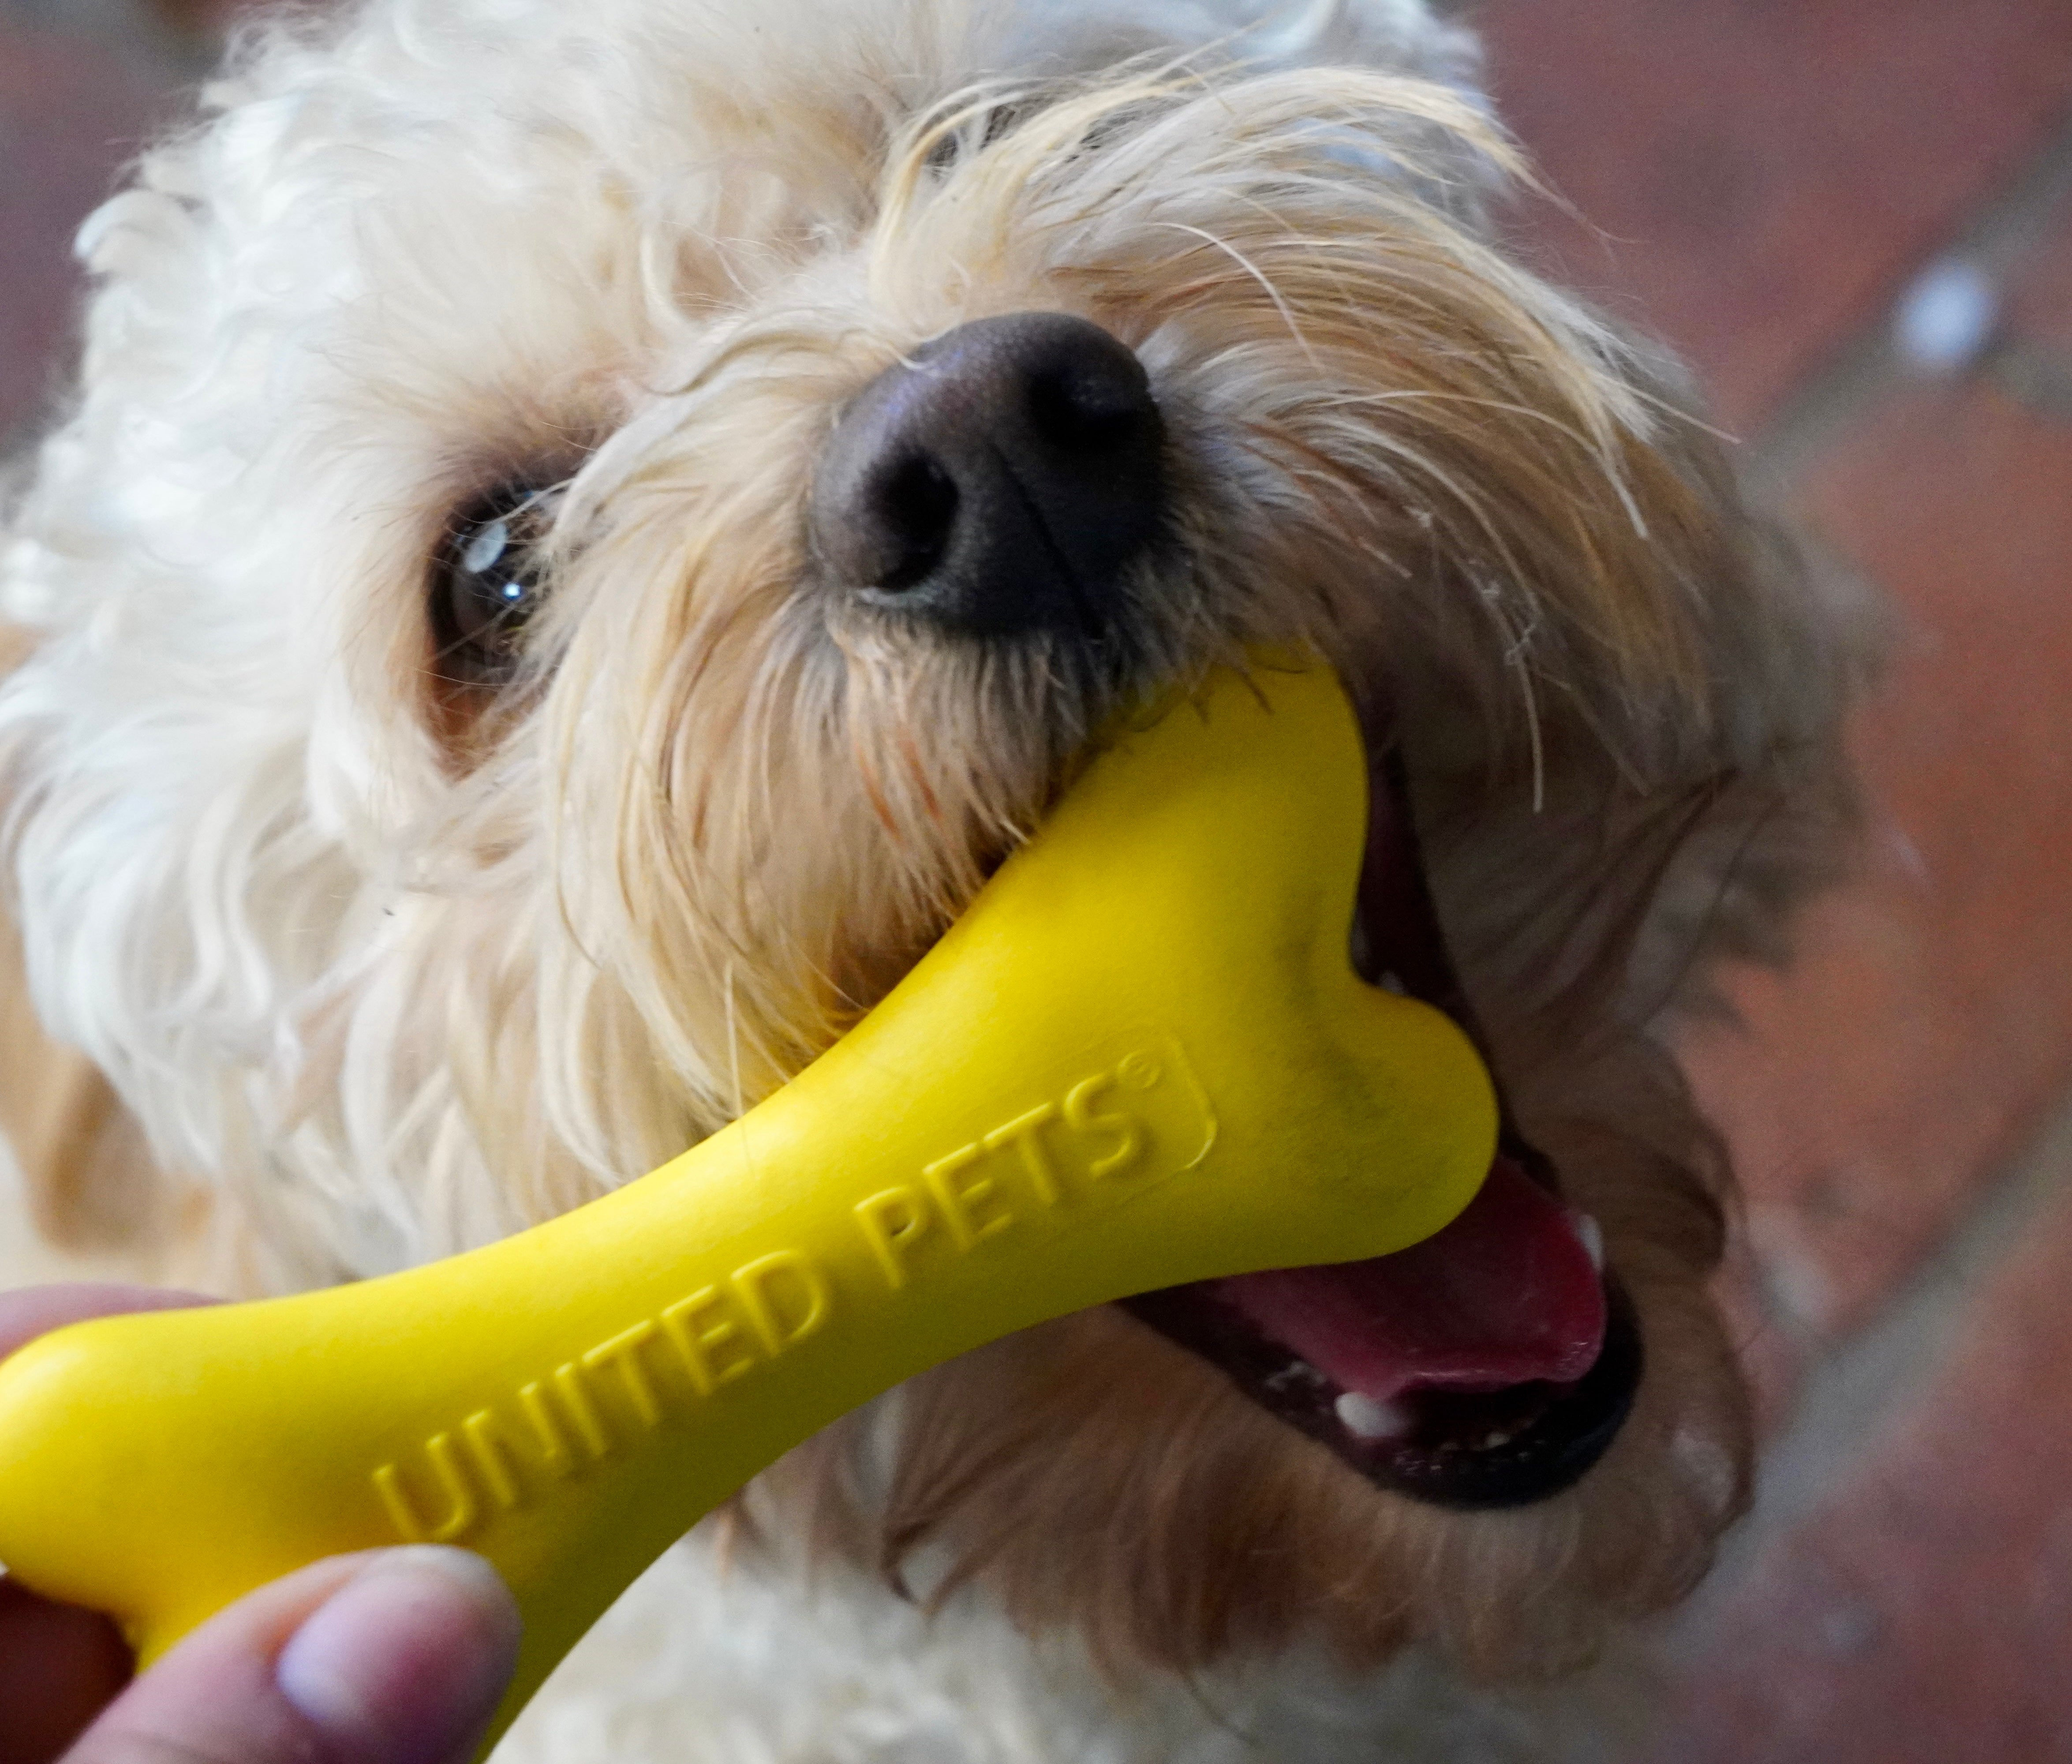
<point x="399" y="961"/>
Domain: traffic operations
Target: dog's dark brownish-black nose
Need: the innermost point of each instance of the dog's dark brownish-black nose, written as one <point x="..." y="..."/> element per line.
<point x="998" y="480"/>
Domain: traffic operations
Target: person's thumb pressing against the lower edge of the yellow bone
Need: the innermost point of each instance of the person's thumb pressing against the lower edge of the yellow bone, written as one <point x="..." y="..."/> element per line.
<point x="393" y="1657"/>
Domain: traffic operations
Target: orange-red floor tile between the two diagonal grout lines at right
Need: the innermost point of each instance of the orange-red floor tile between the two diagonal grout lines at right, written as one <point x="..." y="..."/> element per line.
<point x="1930" y="1019"/>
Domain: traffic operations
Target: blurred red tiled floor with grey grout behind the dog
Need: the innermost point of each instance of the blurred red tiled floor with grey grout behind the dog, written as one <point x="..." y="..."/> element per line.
<point x="1762" y="183"/>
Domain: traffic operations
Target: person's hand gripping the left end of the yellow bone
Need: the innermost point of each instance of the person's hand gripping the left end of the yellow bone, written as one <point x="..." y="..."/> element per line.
<point x="388" y="1657"/>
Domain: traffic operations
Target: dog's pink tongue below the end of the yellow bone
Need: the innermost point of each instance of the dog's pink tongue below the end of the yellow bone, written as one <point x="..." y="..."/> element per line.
<point x="1501" y="1297"/>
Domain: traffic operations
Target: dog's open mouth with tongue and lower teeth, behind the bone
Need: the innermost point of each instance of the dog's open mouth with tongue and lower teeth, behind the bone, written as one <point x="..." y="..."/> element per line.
<point x="1487" y="1367"/>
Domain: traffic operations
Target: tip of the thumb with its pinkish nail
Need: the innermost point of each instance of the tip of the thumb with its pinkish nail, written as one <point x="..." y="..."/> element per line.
<point x="407" y="1661"/>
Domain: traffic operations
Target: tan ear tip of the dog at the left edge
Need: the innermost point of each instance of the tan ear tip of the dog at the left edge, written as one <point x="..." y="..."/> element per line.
<point x="86" y="1172"/>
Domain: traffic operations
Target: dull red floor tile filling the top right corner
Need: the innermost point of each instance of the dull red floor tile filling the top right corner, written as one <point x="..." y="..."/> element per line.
<point x="1766" y="171"/>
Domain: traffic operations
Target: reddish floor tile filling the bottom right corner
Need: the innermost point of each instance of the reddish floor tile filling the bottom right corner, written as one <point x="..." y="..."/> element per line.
<point x="1924" y="1614"/>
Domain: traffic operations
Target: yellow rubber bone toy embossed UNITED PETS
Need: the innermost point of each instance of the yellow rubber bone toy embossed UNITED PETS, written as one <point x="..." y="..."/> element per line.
<point x="1141" y="1058"/>
